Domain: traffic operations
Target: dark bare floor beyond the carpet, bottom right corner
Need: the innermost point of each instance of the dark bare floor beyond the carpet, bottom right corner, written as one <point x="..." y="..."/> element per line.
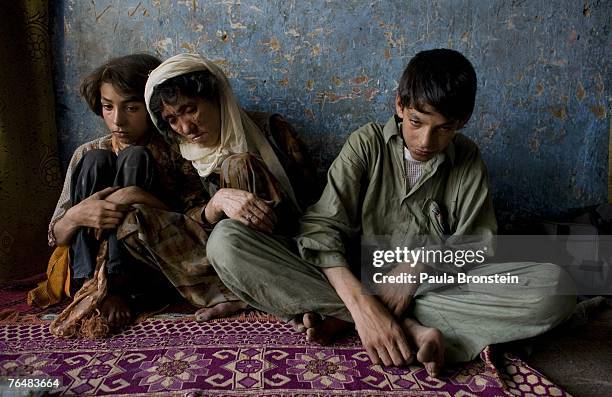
<point x="578" y="355"/>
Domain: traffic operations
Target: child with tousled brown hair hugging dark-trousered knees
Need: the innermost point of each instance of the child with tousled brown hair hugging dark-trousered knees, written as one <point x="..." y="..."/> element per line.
<point x="121" y="212"/>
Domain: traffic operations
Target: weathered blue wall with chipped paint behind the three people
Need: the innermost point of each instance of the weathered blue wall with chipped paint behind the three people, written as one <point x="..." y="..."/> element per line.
<point x="543" y="104"/>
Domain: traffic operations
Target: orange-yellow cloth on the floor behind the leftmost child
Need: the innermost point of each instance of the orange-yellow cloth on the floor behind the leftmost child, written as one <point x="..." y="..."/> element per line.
<point x="57" y="284"/>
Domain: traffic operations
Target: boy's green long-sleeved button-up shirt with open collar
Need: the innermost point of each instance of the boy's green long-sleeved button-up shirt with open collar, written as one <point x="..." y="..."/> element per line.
<point x="367" y="195"/>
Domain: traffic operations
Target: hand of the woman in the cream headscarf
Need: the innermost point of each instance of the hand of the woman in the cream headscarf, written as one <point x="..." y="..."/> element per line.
<point x="242" y="206"/>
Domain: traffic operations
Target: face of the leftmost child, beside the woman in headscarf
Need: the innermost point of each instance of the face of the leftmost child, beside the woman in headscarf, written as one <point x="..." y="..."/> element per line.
<point x="126" y="117"/>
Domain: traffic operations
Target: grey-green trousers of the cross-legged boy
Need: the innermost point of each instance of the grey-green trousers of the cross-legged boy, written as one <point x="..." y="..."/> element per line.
<point x="267" y="273"/>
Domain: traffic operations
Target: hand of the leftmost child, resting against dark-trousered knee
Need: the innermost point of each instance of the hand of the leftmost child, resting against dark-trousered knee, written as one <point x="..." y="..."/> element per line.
<point x="98" y="213"/>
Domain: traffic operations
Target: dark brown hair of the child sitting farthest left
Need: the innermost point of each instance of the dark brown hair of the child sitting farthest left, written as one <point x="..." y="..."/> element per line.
<point x="128" y="74"/>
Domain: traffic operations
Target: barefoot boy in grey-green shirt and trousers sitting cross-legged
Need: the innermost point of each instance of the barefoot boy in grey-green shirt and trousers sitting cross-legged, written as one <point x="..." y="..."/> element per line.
<point x="417" y="179"/>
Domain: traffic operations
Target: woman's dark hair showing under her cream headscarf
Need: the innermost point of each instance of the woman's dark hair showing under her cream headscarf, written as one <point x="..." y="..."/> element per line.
<point x="201" y="84"/>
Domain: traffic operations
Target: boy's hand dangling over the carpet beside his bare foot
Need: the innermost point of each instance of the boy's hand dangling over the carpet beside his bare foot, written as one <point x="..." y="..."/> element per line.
<point x="381" y="335"/>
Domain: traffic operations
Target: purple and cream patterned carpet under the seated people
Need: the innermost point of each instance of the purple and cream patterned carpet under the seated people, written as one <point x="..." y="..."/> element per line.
<point x="175" y="356"/>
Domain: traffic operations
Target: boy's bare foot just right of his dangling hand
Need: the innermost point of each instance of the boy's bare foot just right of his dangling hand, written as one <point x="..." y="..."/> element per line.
<point x="430" y="345"/>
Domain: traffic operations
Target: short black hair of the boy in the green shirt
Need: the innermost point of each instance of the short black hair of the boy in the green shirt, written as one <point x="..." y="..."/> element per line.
<point x="441" y="78"/>
